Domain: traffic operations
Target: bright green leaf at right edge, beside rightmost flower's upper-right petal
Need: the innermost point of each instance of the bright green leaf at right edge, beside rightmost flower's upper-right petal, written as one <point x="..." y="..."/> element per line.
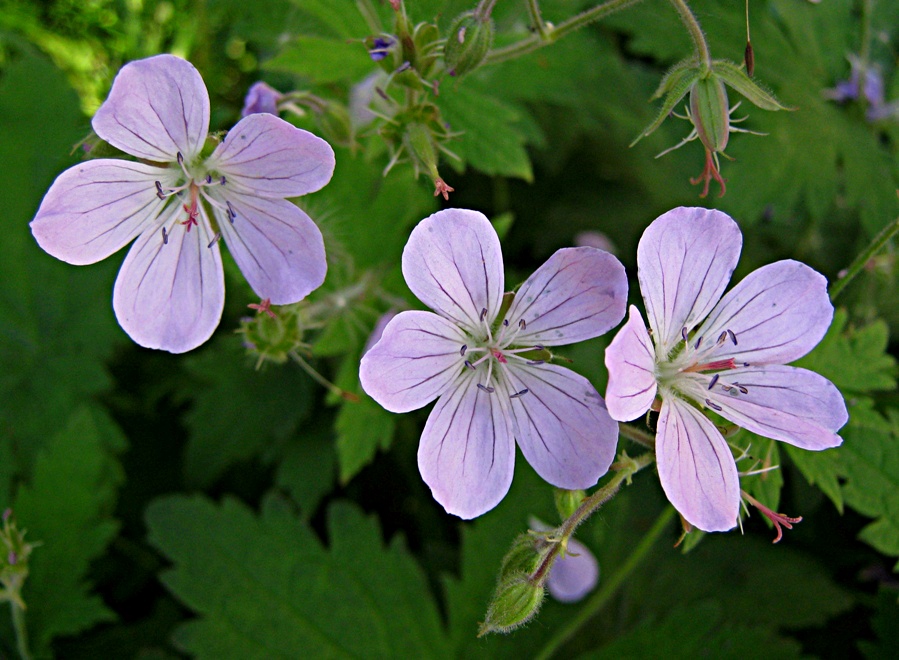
<point x="854" y="359"/>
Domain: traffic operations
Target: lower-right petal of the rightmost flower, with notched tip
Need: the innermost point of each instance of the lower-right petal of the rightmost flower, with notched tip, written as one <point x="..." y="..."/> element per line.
<point x="790" y="404"/>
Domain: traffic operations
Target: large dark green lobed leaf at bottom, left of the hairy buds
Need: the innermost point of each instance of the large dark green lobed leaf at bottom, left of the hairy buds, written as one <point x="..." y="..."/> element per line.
<point x="263" y="586"/>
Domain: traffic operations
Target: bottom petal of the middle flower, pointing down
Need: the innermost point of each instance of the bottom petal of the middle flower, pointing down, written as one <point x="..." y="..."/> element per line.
<point x="467" y="451"/>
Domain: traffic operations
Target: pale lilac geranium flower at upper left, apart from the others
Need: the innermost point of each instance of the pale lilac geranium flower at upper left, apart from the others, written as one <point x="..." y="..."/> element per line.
<point x="178" y="203"/>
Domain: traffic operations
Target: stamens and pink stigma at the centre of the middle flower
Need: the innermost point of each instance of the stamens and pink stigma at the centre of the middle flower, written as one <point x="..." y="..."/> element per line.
<point x="498" y="353"/>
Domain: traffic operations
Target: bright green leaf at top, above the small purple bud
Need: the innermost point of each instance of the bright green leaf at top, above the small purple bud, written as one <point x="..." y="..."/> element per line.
<point x="323" y="60"/>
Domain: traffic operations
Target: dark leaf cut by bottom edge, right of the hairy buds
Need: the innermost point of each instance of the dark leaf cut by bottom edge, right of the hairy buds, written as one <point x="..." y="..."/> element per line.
<point x="690" y="632"/>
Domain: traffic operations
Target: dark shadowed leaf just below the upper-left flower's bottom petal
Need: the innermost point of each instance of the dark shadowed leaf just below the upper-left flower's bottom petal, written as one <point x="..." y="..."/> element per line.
<point x="237" y="411"/>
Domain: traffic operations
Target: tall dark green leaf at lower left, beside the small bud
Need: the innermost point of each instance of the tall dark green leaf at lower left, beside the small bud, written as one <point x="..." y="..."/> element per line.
<point x="67" y="507"/>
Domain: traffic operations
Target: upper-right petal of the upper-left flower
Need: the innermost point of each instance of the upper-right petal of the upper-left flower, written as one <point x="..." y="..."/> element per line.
<point x="264" y="155"/>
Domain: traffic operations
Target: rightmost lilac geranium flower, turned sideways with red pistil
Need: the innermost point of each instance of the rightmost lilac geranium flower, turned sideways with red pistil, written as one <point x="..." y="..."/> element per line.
<point x="726" y="355"/>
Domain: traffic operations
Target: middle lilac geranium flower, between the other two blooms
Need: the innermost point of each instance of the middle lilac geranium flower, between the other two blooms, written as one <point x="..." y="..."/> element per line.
<point x="484" y="363"/>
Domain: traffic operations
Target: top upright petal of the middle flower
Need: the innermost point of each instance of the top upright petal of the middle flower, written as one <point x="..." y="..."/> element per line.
<point x="454" y="264"/>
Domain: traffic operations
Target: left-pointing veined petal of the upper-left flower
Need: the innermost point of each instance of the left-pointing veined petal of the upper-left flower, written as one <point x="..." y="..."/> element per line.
<point x="95" y="208"/>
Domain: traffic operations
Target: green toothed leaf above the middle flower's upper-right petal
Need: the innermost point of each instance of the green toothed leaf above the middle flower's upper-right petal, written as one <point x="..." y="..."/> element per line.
<point x="493" y="132"/>
